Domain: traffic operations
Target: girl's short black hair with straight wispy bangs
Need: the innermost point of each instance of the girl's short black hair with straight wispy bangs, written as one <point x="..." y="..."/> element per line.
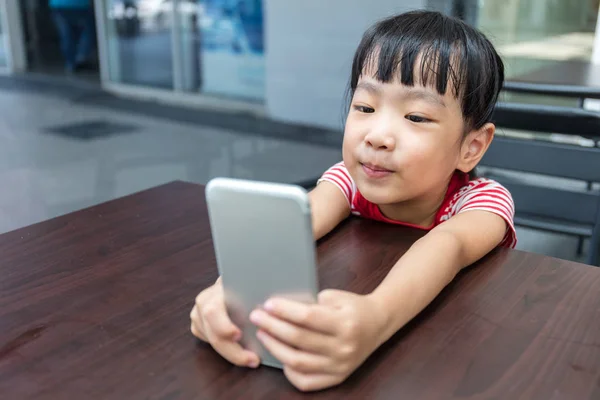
<point x="452" y="55"/>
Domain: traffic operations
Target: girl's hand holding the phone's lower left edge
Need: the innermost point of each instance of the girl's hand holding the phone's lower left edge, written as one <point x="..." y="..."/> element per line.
<point x="211" y="323"/>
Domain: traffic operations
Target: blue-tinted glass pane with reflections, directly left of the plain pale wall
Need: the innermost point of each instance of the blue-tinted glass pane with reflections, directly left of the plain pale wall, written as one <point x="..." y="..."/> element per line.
<point x="223" y="47"/>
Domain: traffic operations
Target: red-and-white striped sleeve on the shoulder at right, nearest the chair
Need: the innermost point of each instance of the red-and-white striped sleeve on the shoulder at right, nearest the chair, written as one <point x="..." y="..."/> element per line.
<point x="489" y="195"/>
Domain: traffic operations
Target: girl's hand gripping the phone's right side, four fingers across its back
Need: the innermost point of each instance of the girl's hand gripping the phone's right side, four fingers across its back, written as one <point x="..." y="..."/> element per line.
<point x="321" y="344"/>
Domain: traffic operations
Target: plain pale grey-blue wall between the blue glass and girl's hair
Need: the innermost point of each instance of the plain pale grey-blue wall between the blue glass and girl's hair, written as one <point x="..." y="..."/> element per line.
<point x="309" y="49"/>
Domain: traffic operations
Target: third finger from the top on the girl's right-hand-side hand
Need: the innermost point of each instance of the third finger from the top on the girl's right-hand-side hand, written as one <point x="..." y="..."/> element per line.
<point x="294" y="358"/>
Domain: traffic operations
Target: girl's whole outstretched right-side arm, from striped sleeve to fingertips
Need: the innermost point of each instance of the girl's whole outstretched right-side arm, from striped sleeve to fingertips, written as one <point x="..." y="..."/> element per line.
<point x="321" y="344"/>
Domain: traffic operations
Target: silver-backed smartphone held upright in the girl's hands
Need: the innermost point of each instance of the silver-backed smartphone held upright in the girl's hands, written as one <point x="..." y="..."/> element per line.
<point x="263" y="240"/>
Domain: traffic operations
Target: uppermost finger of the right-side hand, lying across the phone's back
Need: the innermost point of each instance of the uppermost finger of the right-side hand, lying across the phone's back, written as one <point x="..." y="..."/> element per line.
<point x="312" y="316"/>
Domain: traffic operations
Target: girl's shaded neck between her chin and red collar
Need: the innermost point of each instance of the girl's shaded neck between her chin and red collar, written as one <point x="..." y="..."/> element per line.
<point x="420" y="211"/>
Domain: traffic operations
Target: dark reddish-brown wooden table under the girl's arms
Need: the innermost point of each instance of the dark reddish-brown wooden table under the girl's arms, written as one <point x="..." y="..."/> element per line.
<point x="95" y="305"/>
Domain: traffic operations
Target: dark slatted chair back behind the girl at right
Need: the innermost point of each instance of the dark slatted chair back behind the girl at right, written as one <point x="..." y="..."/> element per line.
<point x="550" y="208"/>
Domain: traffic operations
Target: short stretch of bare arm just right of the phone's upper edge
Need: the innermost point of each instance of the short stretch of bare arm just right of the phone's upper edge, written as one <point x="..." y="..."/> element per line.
<point x="329" y="207"/>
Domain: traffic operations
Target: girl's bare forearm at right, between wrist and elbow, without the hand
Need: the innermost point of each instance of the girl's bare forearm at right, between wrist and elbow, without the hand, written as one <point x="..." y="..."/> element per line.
<point x="416" y="279"/>
